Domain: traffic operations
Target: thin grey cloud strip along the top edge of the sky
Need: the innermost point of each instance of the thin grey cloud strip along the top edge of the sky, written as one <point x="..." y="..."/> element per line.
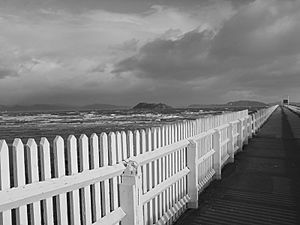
<point x="122" y="6"/>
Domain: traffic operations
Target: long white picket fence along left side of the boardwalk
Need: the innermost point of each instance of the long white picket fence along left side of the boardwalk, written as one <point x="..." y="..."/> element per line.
<point x="130" y="178"/>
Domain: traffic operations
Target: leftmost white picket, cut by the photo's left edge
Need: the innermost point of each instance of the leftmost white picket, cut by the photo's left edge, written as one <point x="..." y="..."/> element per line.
<point x="5" y="217"/>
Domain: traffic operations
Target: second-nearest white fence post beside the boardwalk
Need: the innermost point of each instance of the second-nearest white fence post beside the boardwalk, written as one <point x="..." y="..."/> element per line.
<point x="192" y="164"/>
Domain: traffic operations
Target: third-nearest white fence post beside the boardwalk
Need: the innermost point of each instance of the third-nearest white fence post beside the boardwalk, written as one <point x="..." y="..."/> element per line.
<point x="217" y="156"/>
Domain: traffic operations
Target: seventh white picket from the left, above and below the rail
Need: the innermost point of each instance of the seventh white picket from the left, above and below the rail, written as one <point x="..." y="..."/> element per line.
<point x="86" y="191"/>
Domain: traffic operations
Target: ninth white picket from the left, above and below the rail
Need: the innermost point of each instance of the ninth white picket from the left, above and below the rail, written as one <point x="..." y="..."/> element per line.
<point x="104" y="161"/>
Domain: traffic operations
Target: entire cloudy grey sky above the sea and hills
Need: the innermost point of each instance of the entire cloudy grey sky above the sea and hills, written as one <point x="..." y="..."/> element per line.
<point x="127" y="51"/>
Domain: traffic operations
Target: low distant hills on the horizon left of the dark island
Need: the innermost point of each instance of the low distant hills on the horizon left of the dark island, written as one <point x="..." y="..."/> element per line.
<point x="54" y="107"/>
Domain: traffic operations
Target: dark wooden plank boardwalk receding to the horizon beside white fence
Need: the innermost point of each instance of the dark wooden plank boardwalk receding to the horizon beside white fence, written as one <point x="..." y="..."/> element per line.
<point x="262" y="186"/>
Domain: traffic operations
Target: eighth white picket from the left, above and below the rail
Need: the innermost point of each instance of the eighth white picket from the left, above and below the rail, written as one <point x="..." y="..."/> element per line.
<point x="96" y="190"/>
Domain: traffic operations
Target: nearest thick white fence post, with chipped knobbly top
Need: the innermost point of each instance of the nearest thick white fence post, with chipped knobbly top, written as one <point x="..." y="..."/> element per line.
<point x="130" y="194"/>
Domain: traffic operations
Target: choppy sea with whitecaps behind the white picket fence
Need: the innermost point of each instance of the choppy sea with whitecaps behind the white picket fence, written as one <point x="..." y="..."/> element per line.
<point x="49" y="124"/>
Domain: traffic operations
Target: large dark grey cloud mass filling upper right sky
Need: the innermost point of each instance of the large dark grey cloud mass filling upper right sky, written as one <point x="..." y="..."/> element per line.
<point x="257" y="50"/>
